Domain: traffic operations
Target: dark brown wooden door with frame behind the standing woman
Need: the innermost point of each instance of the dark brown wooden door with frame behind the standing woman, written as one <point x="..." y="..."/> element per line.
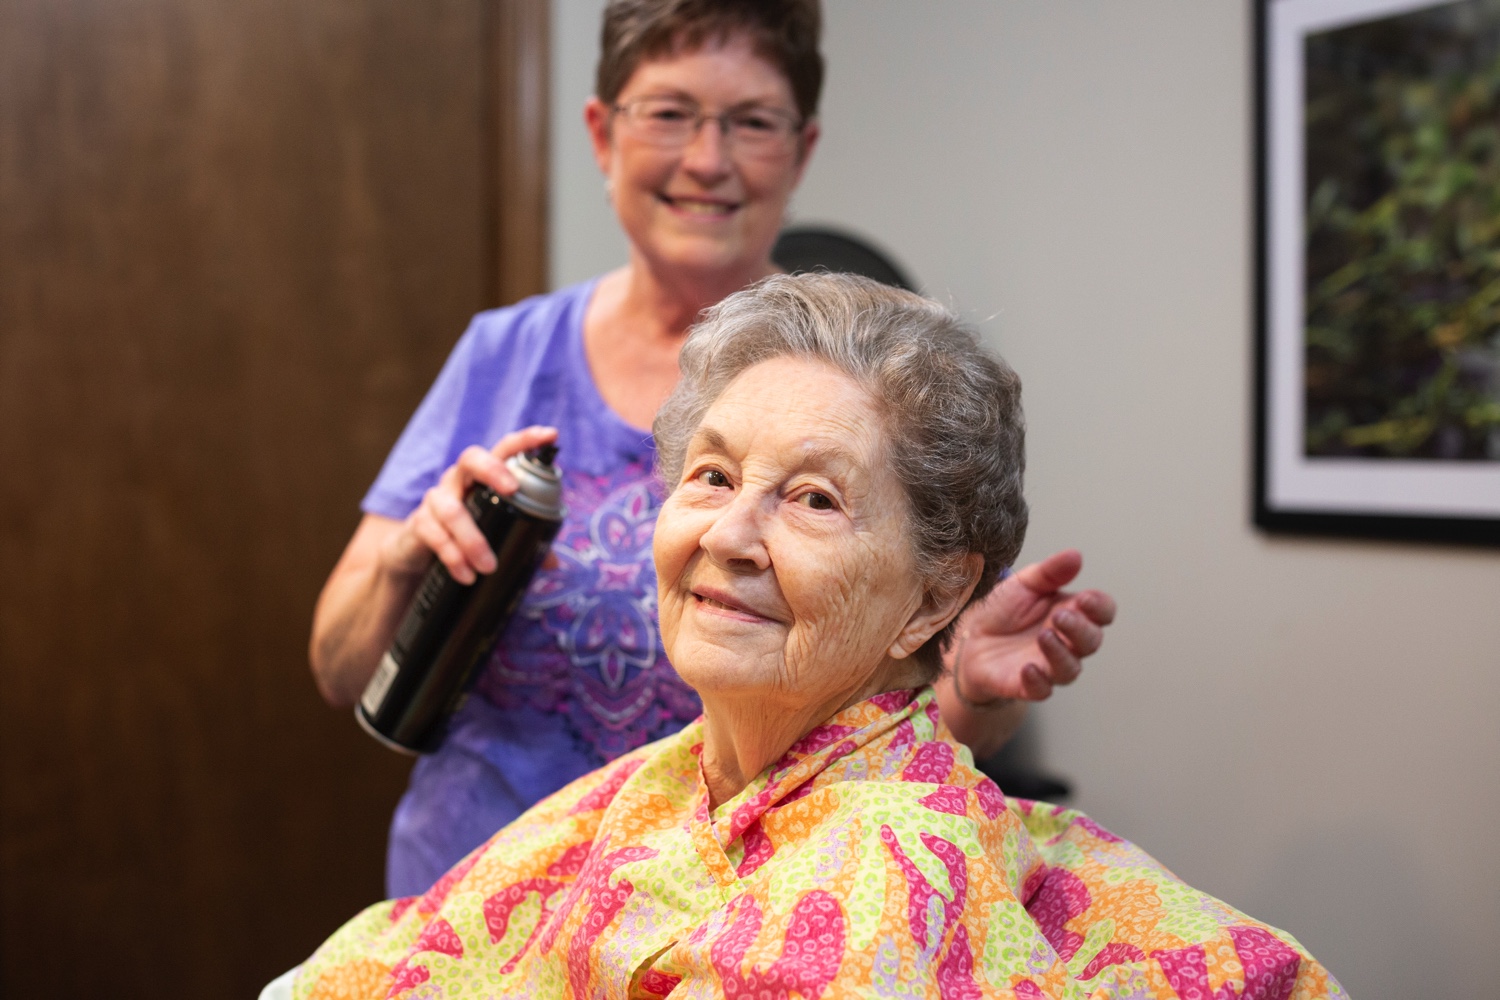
<point x="238" y="239"/>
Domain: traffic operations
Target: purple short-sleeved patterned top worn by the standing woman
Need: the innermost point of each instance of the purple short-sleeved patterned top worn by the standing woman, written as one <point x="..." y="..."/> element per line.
<point x="578" y="677"/>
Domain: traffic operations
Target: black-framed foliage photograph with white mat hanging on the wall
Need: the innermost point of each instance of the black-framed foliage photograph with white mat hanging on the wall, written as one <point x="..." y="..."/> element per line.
<point x="1379" y="269"/>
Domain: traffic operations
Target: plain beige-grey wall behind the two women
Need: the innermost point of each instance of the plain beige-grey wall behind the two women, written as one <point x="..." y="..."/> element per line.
<point x="1304" y="728"/>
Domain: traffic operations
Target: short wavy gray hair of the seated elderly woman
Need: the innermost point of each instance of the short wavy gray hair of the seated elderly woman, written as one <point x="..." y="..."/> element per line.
<point x="953" y="412"/>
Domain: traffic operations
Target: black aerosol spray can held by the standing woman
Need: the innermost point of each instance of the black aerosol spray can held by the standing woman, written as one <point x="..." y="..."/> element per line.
<point x="451" y="626"/>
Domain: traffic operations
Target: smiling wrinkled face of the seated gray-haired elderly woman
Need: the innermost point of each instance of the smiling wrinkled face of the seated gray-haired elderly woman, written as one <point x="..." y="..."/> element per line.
<point x="784" y="564"/>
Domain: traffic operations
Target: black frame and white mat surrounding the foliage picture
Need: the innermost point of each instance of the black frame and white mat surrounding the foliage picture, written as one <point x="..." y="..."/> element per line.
<point x="1420" y="500"/>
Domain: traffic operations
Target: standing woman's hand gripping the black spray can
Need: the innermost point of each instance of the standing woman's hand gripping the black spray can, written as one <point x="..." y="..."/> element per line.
<point x="442" y="525"/>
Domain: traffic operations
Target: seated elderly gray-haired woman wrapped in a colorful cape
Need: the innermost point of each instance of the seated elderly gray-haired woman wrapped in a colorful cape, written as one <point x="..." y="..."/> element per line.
<point x="845" y="473"/>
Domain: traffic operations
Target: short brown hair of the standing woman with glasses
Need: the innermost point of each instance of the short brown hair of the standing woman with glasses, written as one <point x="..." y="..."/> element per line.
<point x="784" y="32"/>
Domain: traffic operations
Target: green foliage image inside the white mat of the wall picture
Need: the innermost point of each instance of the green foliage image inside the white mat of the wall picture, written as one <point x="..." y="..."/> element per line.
<point x="1403" y="238"/>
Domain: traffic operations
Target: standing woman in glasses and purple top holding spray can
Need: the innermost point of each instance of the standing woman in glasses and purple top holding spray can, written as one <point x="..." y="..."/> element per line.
<point x="703" y="124"/>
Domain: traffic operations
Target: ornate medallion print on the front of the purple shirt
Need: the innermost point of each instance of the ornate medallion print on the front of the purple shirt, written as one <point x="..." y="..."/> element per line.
<point x="584" y="642"/>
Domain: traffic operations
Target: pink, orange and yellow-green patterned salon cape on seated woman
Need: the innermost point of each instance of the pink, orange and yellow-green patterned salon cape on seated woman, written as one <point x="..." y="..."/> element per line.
<point x="871" y="861"/>
